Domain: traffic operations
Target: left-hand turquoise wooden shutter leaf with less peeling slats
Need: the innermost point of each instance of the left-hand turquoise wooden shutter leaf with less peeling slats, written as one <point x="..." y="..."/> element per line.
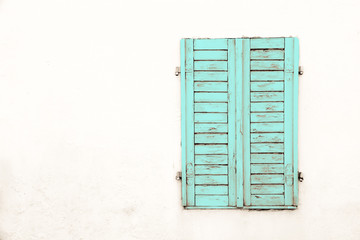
<point x="208" y="122"/>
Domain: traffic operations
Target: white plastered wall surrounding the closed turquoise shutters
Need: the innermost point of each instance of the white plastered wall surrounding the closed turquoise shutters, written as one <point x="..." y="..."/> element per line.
<point x="90" y="118"/>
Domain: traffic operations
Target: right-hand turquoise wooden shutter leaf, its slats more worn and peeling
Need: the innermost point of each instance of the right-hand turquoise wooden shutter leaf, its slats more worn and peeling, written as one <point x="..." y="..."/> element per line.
<point x="270" y="115"/>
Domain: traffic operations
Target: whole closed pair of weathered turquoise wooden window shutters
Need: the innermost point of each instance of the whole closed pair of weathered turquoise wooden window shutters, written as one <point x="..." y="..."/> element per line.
<point x="239" y="123"/>
